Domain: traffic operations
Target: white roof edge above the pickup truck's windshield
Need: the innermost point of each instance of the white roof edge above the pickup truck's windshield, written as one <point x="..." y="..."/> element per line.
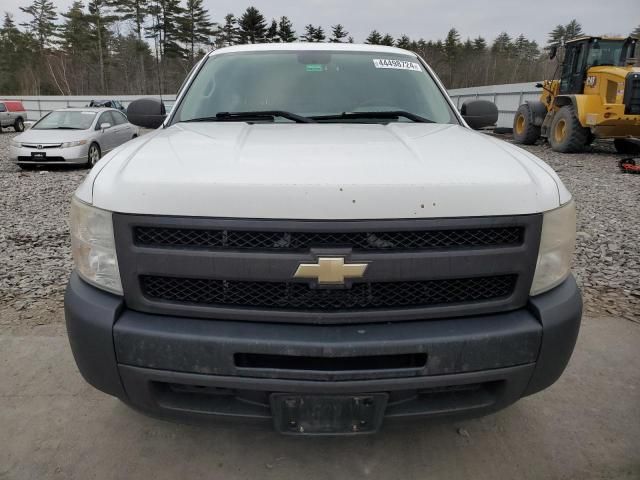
<point x="325" y="47"/>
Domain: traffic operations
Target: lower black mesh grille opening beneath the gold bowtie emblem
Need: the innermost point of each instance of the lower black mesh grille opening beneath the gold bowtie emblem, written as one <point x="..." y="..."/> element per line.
<point x="299" y="296"/>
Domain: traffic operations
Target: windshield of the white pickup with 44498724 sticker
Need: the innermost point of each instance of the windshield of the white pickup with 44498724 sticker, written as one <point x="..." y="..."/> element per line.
<point x="315" y="84"/>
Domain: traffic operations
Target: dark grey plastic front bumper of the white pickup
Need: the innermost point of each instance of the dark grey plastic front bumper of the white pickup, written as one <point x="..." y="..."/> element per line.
<point x="181" y="368"/>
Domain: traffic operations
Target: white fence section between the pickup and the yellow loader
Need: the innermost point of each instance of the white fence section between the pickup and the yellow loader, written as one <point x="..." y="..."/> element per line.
<point x="507" y="97"/>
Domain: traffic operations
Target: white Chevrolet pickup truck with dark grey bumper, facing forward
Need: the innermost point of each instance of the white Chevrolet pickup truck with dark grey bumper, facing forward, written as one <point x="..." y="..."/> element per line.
<point x="317" y="238"/>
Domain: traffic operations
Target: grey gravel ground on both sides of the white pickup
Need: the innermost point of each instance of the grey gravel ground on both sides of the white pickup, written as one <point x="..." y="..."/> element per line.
<point x="35" y="254"/>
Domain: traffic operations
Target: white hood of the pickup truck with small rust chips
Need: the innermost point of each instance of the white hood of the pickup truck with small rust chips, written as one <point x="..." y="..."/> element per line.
<point x="321" y="171"/>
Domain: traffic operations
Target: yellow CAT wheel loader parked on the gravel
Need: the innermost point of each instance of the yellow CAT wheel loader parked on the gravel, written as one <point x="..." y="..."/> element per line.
<point x="597" y="96"/>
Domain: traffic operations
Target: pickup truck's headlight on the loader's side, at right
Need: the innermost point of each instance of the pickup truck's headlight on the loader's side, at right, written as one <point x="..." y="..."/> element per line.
<point x="557" y="244"/>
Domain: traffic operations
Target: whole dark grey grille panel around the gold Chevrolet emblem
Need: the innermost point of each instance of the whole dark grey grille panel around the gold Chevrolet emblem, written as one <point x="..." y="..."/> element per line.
<point x="243" y="269"/>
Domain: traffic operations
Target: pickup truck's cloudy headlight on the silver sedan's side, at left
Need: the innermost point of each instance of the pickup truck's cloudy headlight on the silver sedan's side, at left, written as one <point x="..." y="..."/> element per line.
<point x="93" y="245"/>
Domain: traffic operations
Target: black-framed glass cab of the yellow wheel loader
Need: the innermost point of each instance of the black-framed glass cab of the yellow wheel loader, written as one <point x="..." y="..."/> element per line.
<point x="583" y="53"/>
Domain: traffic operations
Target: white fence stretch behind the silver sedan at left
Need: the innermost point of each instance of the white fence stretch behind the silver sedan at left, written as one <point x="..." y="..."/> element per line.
<point x="37" y="106"/>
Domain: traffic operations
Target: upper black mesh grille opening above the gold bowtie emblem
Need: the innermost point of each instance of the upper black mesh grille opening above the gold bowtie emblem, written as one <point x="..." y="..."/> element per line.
<point x="384" y="240"/>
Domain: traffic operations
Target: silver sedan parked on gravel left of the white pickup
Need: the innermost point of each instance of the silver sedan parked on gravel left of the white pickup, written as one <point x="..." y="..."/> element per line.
<point x="72" y="136"/>
